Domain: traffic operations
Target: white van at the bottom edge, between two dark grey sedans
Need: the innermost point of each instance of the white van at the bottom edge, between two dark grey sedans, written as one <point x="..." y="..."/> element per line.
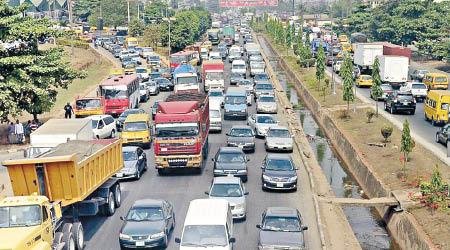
<point x="208" y="225"/>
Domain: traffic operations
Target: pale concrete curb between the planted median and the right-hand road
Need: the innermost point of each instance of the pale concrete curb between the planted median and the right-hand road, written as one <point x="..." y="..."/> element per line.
<point x="418" y="138"/>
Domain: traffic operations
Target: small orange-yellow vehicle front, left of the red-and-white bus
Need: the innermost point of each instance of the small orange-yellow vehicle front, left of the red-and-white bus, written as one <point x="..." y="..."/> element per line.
<point x="86" y="106"/>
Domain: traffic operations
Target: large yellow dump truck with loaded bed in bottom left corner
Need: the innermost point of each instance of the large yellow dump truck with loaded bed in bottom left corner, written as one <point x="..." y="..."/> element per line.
<point x="52" y="191"/>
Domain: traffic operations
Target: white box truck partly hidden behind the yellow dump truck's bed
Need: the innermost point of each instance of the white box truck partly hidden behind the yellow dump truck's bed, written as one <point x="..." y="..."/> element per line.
<point x="58" y="131"/>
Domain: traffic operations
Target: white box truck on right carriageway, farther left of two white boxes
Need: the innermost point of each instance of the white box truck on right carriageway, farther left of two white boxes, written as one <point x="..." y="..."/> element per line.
<point x="365" y="54"/>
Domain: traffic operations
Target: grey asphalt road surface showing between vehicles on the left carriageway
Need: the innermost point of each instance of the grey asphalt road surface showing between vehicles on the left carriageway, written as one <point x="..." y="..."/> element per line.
<point x="181" y="188"/>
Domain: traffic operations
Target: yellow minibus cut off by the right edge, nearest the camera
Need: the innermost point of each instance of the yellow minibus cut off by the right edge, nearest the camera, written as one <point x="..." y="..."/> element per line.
<point x="437" y="106"/>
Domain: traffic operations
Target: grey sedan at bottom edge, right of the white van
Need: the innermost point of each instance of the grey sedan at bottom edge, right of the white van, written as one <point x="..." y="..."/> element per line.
<point x="281" y="228"/>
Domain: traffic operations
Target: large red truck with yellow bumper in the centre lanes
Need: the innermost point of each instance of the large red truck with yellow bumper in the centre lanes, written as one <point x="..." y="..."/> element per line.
<point x="181" y="129"/>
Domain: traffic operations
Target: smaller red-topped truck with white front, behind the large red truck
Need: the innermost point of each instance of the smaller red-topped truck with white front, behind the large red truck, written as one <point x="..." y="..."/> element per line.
<point x="212" y="74"/>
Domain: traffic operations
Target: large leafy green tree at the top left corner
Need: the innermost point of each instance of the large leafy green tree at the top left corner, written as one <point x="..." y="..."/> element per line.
<point x="29" y="77"/>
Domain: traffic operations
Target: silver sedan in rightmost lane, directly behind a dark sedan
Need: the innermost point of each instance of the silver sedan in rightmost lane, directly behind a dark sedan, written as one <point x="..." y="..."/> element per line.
<point x="278" y="138"/>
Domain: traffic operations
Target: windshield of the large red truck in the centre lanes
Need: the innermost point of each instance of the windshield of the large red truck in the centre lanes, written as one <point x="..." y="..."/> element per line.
<point x="176" y="129"/>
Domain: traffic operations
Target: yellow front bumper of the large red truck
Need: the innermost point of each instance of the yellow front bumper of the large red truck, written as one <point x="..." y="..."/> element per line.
<point x="179" y="161"/>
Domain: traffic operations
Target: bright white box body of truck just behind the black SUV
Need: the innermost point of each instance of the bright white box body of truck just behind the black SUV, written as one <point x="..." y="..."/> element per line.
<point x="394" y="69"/>
